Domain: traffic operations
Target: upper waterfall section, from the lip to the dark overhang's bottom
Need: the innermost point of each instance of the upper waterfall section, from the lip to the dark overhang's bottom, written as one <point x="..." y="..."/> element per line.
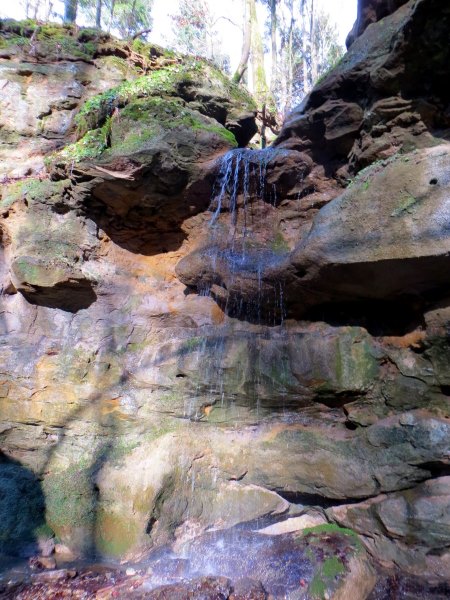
<point x="242" y="190"/>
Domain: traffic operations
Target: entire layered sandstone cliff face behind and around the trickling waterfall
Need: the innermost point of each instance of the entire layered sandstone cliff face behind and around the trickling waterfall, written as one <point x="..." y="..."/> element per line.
<point x="198" y="339"/>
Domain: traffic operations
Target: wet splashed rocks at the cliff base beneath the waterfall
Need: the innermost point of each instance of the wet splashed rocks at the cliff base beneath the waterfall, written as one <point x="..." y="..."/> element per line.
<point x="235" y="565"/>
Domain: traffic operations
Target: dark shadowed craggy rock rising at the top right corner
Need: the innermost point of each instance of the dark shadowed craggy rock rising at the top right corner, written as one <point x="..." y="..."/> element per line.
<point x="383" y="96"/>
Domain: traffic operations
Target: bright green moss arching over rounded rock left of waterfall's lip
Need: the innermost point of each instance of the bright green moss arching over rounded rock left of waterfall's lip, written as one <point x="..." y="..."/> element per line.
<point x="151" y="100"/>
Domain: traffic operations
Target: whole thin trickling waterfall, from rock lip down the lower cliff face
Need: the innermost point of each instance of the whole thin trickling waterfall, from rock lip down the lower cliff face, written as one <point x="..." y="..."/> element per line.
<point x="242" y="202"/>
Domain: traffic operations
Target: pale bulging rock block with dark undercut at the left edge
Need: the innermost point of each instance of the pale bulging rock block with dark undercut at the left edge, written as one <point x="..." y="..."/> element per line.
<point x="49" y="246"/>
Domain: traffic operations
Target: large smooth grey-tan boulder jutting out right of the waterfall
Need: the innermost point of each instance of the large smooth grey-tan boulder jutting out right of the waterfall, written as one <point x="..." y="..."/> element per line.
<point x="385" y="237"/>
